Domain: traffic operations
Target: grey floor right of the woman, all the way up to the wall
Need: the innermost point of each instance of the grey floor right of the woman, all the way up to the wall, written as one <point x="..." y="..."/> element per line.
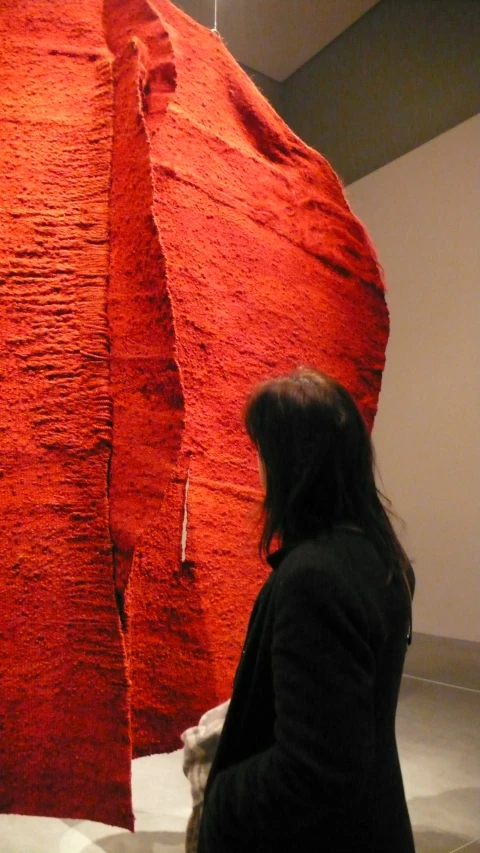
<point x="438" y="734"/>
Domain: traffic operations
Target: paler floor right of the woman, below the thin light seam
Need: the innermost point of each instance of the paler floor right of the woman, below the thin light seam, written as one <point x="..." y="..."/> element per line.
<point x="439" y="745"/>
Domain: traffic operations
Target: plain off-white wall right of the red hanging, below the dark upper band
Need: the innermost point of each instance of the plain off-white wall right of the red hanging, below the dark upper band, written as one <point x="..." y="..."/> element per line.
<point x="423" y="214"/>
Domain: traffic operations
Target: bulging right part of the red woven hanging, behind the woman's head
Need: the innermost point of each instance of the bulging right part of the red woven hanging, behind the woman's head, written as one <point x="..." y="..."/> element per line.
<point x="244" y="256"/>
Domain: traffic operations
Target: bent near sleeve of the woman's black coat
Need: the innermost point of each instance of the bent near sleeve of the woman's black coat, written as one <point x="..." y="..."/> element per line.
<point x="323" y="677"/>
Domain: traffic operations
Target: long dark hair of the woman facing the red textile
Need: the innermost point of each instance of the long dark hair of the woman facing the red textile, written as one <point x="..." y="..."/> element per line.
<point x="319" y="464"/>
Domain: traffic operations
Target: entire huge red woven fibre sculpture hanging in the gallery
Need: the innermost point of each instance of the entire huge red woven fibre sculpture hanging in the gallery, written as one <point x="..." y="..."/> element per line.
<point x="165" y="243"/>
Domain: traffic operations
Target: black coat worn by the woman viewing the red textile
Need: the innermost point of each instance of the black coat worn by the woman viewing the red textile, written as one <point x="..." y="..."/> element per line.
<point x="307" y="761"/>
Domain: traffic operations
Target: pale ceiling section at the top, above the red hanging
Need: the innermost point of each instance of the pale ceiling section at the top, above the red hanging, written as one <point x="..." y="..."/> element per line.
<point x="276" y="37"/>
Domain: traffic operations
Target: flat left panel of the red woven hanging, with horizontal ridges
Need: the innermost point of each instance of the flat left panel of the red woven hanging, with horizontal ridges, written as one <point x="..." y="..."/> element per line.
<point x="64" y="728"/>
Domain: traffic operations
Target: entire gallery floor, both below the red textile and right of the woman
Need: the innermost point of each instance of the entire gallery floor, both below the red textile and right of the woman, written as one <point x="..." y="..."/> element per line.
<point x="438" y="726"/>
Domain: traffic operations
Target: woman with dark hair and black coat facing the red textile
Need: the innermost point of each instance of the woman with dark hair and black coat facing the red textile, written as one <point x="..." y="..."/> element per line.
<point x="307" y="760"/>
